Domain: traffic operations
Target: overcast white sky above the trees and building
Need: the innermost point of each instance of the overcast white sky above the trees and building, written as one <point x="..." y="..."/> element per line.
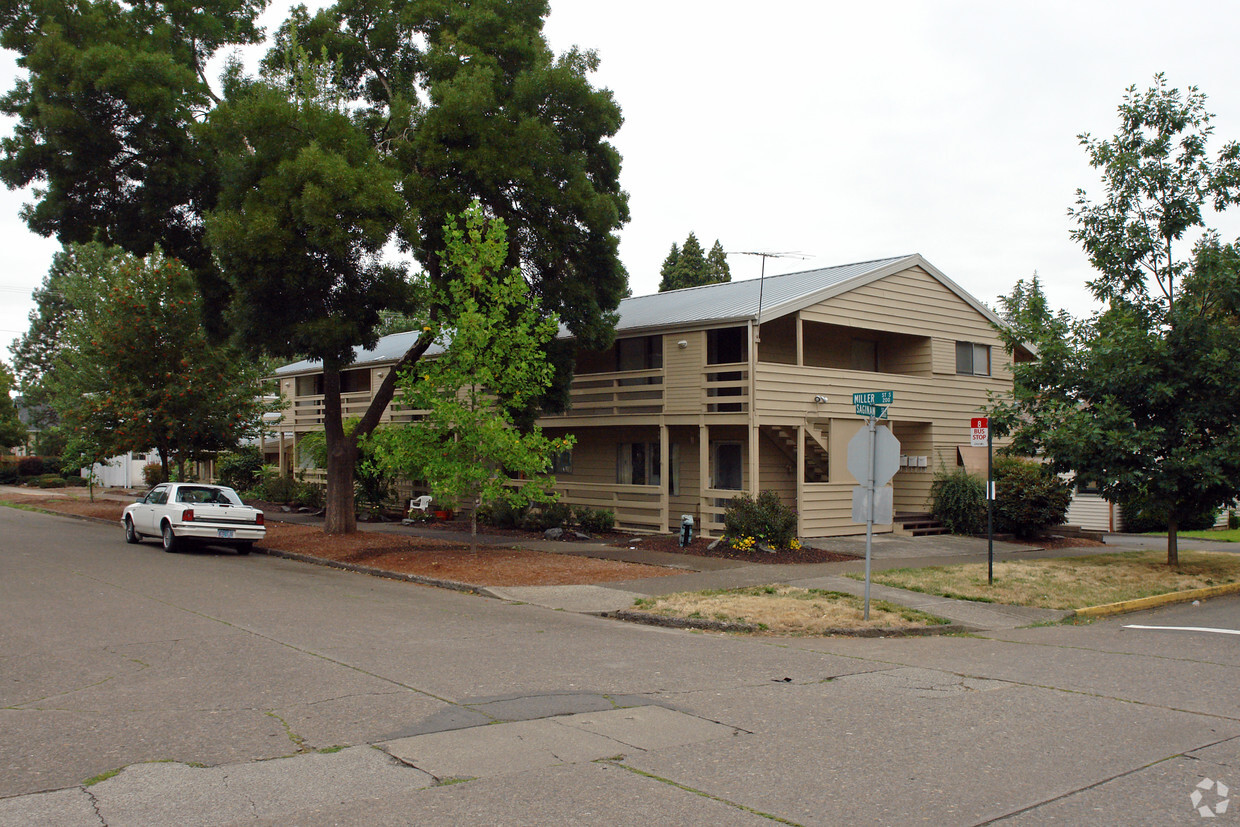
<point x="854" y="132"/>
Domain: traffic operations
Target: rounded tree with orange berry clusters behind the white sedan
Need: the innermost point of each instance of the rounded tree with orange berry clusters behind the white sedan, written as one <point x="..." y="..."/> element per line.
<point x="135" y="370"/>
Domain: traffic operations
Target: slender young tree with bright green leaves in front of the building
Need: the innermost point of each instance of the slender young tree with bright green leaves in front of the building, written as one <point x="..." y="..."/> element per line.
<point x="468" y="447"/>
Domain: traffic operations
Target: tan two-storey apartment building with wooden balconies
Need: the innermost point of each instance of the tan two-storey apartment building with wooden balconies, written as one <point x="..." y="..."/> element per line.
<point x="717" y="390"/>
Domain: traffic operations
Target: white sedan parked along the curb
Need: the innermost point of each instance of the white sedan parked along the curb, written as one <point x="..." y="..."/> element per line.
<point x="193" y="511"/>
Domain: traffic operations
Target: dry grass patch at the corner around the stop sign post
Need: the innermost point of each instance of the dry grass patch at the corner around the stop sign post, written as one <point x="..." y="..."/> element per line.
<point x="787" y="611"/>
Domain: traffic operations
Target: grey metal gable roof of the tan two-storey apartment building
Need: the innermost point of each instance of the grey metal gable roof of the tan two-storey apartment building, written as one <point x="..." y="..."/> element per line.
<point x="712" y="303"/>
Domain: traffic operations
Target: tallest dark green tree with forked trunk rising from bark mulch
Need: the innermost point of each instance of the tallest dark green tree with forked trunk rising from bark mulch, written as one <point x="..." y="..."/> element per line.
<point x="454" y="104"/>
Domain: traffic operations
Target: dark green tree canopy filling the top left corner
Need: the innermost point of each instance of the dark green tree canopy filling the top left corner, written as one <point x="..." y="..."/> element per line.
<point x="106" y="112"/>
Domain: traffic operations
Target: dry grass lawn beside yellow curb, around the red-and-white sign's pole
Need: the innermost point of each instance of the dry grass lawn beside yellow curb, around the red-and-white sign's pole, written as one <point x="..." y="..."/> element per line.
<point x="1073" y="582"/>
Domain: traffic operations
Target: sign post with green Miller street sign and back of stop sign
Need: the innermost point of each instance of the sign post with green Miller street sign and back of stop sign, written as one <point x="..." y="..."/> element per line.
<point x="874" y="459"/>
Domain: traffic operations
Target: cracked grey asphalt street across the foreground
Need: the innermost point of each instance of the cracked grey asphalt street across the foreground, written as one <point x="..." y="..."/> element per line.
<point x="218" y="690"/>
